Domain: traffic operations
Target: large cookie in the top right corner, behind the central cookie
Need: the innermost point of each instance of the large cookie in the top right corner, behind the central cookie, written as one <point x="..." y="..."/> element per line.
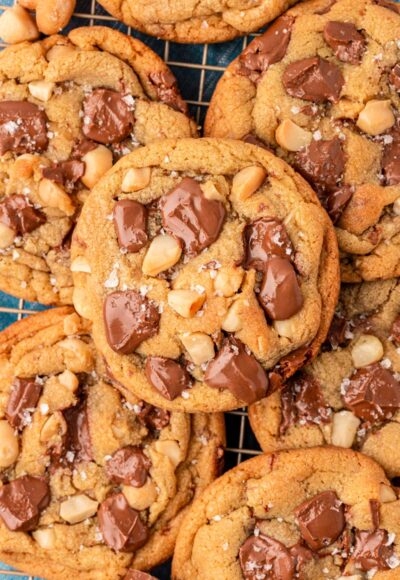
<point x="321" y="88"/>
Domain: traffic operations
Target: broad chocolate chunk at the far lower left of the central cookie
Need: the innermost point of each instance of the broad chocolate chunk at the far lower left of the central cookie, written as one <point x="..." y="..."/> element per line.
<point x="129" y="319"/>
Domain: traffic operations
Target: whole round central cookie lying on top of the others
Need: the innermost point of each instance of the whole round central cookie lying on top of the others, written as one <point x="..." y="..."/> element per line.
<point x="209" y="270"/>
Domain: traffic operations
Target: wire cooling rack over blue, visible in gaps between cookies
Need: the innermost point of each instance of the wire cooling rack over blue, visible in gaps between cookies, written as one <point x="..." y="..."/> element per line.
<point x="198" y="68"/>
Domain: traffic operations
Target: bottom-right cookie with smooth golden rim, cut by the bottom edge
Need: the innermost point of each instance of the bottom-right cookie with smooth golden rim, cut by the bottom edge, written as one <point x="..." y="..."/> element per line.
<point x="311" y="514"/>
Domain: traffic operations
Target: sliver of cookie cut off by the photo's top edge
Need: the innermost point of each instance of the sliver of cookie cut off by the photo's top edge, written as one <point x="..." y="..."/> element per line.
<point x="196" y="21"/>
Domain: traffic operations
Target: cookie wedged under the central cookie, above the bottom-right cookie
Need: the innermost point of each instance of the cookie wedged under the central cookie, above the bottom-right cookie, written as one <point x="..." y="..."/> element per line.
<point x="350" y="395"/>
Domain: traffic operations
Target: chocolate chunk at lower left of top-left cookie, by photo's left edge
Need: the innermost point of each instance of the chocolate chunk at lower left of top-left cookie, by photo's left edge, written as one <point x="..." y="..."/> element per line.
<point x="17" y="214"/>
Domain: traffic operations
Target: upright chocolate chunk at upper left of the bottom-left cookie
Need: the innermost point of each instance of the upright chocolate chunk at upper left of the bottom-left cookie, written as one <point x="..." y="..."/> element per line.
<point x="23" y="399"/>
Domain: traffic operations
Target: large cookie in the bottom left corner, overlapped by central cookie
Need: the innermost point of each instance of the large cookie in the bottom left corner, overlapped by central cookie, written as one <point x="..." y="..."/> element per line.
<point x="92" y="483"/>
